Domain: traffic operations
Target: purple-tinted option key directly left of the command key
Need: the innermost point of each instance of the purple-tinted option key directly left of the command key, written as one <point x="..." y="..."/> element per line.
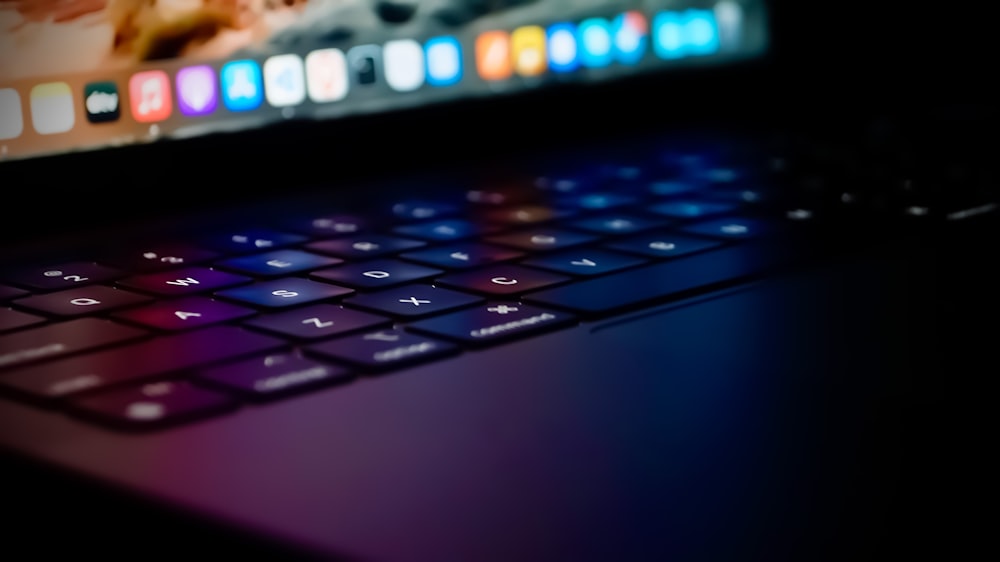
<point x="388" y="349"/>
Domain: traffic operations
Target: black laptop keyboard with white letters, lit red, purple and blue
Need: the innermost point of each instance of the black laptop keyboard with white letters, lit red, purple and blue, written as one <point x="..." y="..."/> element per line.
<point x="175" y="330"/>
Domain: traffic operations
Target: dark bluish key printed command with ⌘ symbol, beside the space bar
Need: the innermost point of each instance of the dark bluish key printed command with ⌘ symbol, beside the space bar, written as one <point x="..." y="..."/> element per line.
<point x="493" y="323"/>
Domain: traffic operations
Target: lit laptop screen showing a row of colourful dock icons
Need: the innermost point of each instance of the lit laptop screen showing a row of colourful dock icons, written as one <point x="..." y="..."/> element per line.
<point x="88" y="74"/>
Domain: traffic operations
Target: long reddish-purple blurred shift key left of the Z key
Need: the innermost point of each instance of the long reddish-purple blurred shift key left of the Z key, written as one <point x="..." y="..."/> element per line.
<point x="132" y="363"/>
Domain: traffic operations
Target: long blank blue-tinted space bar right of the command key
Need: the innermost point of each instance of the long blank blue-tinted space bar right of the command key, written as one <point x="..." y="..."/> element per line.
<point x="675" y="278"/>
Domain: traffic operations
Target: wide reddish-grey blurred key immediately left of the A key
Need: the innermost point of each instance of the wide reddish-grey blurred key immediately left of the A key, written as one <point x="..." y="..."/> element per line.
<point x="64" y="338"/>
